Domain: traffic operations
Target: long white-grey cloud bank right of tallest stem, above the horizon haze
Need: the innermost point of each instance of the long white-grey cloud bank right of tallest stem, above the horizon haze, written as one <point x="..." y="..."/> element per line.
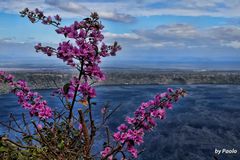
<point x="180" y="36"/>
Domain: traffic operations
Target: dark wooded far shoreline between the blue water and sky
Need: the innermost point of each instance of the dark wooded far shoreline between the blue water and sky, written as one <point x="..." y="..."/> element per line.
<point x="43" y="79"/>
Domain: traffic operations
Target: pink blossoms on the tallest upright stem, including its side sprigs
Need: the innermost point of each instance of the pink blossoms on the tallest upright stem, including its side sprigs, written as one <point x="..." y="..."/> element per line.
<point x="83" y="49"/>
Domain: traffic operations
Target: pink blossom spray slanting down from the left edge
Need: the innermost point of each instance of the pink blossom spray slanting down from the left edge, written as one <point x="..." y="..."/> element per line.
<point x="29" y="100"/>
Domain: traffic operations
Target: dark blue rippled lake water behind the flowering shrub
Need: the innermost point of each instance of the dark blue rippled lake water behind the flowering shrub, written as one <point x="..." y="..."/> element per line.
<point x="207" y="119"/>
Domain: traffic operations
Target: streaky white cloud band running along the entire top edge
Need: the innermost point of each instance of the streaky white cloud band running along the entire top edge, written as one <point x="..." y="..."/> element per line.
<point x="125" y="11"/>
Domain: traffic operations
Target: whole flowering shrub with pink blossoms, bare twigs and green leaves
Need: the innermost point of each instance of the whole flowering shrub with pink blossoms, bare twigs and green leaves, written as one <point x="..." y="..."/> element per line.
<point x="60" y="134"/>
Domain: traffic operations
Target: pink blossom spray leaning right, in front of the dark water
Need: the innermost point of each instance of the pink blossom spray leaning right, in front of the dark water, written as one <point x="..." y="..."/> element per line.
<point x="144" y="119"/>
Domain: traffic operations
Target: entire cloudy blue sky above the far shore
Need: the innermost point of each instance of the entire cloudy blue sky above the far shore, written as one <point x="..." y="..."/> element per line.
<point x="151" y="32"/>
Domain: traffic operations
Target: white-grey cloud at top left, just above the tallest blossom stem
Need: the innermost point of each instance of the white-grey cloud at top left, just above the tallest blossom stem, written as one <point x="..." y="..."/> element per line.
<point x="67" y="9"/>
